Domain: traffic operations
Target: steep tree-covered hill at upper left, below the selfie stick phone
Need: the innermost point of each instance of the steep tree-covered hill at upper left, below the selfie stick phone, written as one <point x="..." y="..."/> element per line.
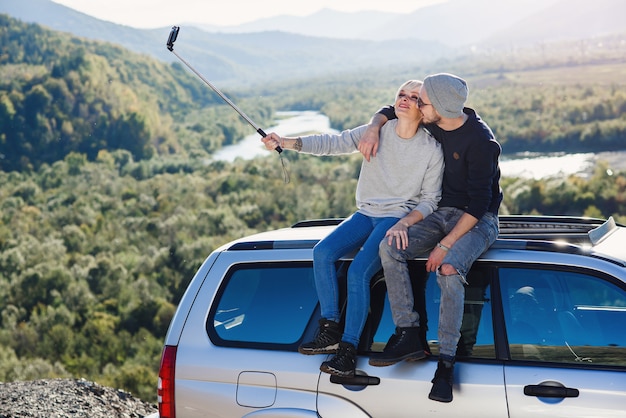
<point x="60" y="94"/>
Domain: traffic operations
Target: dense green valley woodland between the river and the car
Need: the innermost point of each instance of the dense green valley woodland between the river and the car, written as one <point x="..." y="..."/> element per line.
<point x="94" y="256"/>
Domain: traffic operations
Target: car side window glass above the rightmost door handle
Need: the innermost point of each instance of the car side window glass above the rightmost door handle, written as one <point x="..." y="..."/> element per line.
<point x="563" y="316"/>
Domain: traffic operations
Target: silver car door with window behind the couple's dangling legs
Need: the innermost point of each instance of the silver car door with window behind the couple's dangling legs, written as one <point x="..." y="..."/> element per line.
<point x="401" y="390"/>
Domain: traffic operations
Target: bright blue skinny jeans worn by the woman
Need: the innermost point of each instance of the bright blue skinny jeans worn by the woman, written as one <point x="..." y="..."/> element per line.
<point x="358" y="232"/>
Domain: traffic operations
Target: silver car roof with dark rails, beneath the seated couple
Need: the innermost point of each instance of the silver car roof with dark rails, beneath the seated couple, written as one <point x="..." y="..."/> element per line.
<point x="602" y="238"/>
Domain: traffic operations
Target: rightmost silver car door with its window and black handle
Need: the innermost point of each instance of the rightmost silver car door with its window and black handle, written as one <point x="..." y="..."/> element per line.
<point x="566" y="342"/>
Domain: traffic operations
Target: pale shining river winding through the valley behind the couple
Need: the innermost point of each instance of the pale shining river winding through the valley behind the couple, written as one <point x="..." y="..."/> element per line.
<point x="526" y="165"/>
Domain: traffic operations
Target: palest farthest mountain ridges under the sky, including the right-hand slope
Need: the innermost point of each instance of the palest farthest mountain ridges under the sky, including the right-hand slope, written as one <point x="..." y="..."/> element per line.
<point x="456" y="23"/>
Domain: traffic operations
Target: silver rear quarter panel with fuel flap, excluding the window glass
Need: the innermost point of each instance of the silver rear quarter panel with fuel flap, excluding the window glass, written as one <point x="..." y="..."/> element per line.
<point x="239" y="381"/>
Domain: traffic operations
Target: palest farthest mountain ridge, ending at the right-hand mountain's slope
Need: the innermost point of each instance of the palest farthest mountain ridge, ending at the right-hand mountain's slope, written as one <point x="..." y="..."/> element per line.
<point x="455" y="23"/>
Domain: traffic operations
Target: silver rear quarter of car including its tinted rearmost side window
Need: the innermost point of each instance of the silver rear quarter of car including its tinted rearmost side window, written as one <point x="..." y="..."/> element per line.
<point x="237" y="354"/>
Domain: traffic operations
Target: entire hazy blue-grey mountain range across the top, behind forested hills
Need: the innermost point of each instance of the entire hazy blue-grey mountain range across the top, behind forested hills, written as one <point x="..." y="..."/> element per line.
<point x="291" y="48"/>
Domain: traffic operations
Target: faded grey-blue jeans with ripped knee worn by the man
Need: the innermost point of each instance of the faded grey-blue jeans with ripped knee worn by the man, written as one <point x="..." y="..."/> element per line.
<point x="423" y="237"/>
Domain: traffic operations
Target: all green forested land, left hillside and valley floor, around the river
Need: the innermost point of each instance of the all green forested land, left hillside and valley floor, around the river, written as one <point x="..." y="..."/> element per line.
<point x="108" y="202"/>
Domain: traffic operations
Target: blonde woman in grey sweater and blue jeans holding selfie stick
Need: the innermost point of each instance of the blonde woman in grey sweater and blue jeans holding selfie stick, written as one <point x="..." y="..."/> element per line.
<point x="401" y="184"/>
